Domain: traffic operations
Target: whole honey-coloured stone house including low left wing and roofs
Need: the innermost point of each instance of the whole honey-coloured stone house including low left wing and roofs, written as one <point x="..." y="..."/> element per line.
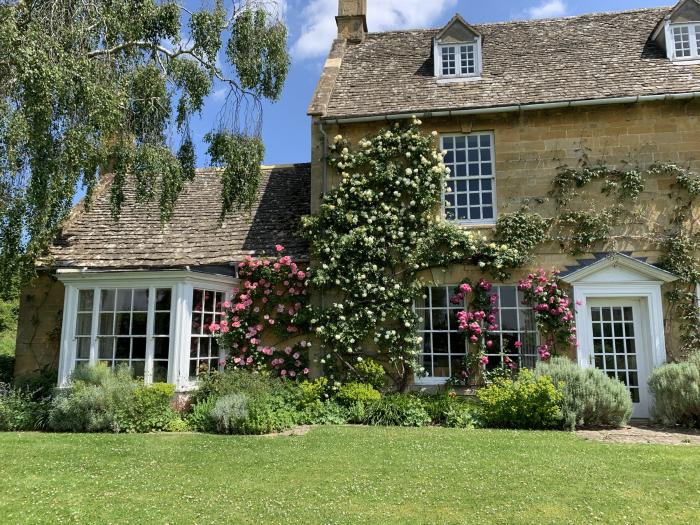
<point x="512" y="102"/>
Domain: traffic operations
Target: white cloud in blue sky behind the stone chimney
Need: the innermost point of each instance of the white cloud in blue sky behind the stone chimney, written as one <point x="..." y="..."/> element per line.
<point x="319" y="30"/>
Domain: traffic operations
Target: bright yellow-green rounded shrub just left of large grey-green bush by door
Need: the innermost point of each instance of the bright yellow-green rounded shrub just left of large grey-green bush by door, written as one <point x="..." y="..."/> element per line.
<point x="528" y="402"/>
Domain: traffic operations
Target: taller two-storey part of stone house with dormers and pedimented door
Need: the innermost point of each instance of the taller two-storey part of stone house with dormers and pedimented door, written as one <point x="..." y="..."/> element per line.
<point x="512" y="103"/>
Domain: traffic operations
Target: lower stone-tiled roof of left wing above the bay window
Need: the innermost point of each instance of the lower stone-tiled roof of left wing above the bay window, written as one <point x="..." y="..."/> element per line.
<point x="194" y="237"/>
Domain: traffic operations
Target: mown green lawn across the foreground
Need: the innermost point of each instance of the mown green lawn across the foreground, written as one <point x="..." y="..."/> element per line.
<point x="345" y="475"/>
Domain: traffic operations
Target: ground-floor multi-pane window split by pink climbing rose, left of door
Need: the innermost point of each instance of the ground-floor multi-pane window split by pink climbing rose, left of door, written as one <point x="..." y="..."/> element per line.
<point x="444" y="347"/>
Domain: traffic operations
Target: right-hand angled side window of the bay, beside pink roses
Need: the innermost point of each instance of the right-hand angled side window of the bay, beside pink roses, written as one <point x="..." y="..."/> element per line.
<point x="205" y="354"/>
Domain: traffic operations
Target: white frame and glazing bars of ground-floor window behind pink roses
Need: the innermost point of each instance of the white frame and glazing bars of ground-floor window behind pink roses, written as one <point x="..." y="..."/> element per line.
<point x="429" y="380"/>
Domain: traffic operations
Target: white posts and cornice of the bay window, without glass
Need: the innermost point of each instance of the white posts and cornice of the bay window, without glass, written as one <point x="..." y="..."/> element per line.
<point x="181" y="282"/>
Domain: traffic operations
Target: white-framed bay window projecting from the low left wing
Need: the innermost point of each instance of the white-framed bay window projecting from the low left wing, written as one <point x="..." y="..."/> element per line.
<point x="157" y="323"/>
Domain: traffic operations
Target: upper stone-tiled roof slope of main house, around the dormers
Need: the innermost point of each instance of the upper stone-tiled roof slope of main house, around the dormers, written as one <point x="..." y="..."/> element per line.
<point x="536" y="61"/>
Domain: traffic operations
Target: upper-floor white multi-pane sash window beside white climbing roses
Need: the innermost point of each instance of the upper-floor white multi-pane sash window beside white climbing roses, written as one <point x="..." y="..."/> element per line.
<point x="471" y="183"/>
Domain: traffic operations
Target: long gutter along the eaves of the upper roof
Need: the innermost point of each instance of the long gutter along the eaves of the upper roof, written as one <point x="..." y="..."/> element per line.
<point x="518" y="108"/>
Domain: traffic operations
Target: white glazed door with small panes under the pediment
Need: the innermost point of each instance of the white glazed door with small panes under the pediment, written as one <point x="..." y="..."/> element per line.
<point x="619" y="347"/>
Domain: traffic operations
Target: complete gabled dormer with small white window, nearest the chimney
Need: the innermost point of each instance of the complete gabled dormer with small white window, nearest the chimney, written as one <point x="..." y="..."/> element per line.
<point x="457" y="51"/>
